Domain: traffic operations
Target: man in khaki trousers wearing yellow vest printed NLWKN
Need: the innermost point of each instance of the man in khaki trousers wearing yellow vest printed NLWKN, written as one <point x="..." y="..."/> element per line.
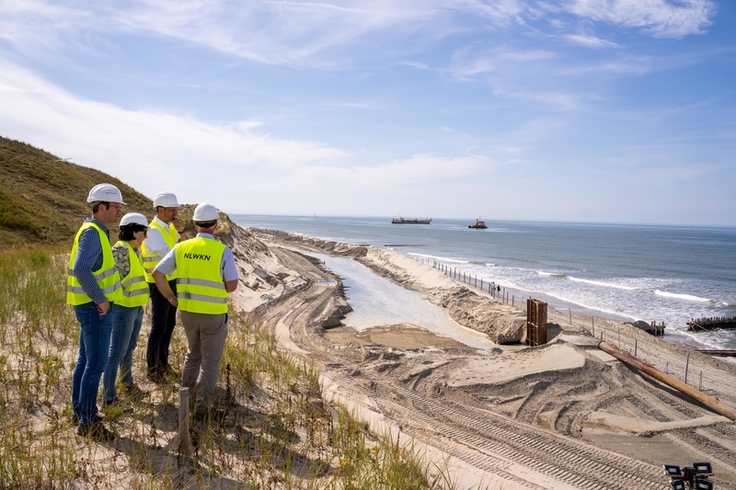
<point x="205" y="273"/>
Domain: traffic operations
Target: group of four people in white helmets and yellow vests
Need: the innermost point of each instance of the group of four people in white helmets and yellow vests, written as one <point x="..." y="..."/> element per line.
<point x="109" y="286"/>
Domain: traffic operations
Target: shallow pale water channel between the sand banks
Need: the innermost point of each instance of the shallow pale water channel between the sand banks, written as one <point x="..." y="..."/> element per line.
<point x="376" y="301"/>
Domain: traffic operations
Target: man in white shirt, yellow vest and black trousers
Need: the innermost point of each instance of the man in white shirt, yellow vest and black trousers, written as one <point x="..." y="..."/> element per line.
<point x="164" y="231"/>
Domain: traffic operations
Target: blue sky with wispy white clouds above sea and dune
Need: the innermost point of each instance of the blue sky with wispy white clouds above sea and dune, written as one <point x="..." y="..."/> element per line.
<point x="568" y="110"/>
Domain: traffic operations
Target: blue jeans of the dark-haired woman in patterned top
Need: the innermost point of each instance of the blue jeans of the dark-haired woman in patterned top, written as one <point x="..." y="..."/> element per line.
<point x="126" y="325"/>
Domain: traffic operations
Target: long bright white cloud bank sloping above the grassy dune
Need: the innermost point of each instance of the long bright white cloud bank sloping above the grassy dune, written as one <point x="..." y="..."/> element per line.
<point x="224" y="163"/>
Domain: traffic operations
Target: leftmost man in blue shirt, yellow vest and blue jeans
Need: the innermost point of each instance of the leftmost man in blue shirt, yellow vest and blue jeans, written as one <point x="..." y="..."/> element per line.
<point x="93" y="285"/>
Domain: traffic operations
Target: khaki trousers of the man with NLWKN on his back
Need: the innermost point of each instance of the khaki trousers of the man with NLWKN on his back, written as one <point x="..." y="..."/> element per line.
<point x="206" y="335"/>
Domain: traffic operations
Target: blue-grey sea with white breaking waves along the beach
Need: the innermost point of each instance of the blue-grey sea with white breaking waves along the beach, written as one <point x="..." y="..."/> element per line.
<point x="667" y="274"/>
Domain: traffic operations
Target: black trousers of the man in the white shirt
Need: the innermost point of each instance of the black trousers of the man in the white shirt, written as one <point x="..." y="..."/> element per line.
<point x="162" y="327"/>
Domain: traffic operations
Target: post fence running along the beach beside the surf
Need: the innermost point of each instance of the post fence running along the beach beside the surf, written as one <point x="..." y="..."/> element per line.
<point x="683" y="367"/>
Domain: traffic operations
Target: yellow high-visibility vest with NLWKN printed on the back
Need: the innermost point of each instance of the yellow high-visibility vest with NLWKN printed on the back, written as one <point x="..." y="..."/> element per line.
<point x="200" y="287"/>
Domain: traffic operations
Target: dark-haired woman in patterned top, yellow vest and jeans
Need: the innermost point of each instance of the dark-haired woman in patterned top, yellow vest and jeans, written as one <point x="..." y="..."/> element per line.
<point x="127" y="312"/>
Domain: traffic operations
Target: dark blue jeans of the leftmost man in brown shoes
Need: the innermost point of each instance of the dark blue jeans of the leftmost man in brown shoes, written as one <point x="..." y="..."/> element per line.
<point x="94" y="344"/>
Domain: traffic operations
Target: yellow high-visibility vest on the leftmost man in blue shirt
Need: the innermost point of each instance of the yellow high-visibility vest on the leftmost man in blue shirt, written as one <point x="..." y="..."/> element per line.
<point x="107" y="276"/>
